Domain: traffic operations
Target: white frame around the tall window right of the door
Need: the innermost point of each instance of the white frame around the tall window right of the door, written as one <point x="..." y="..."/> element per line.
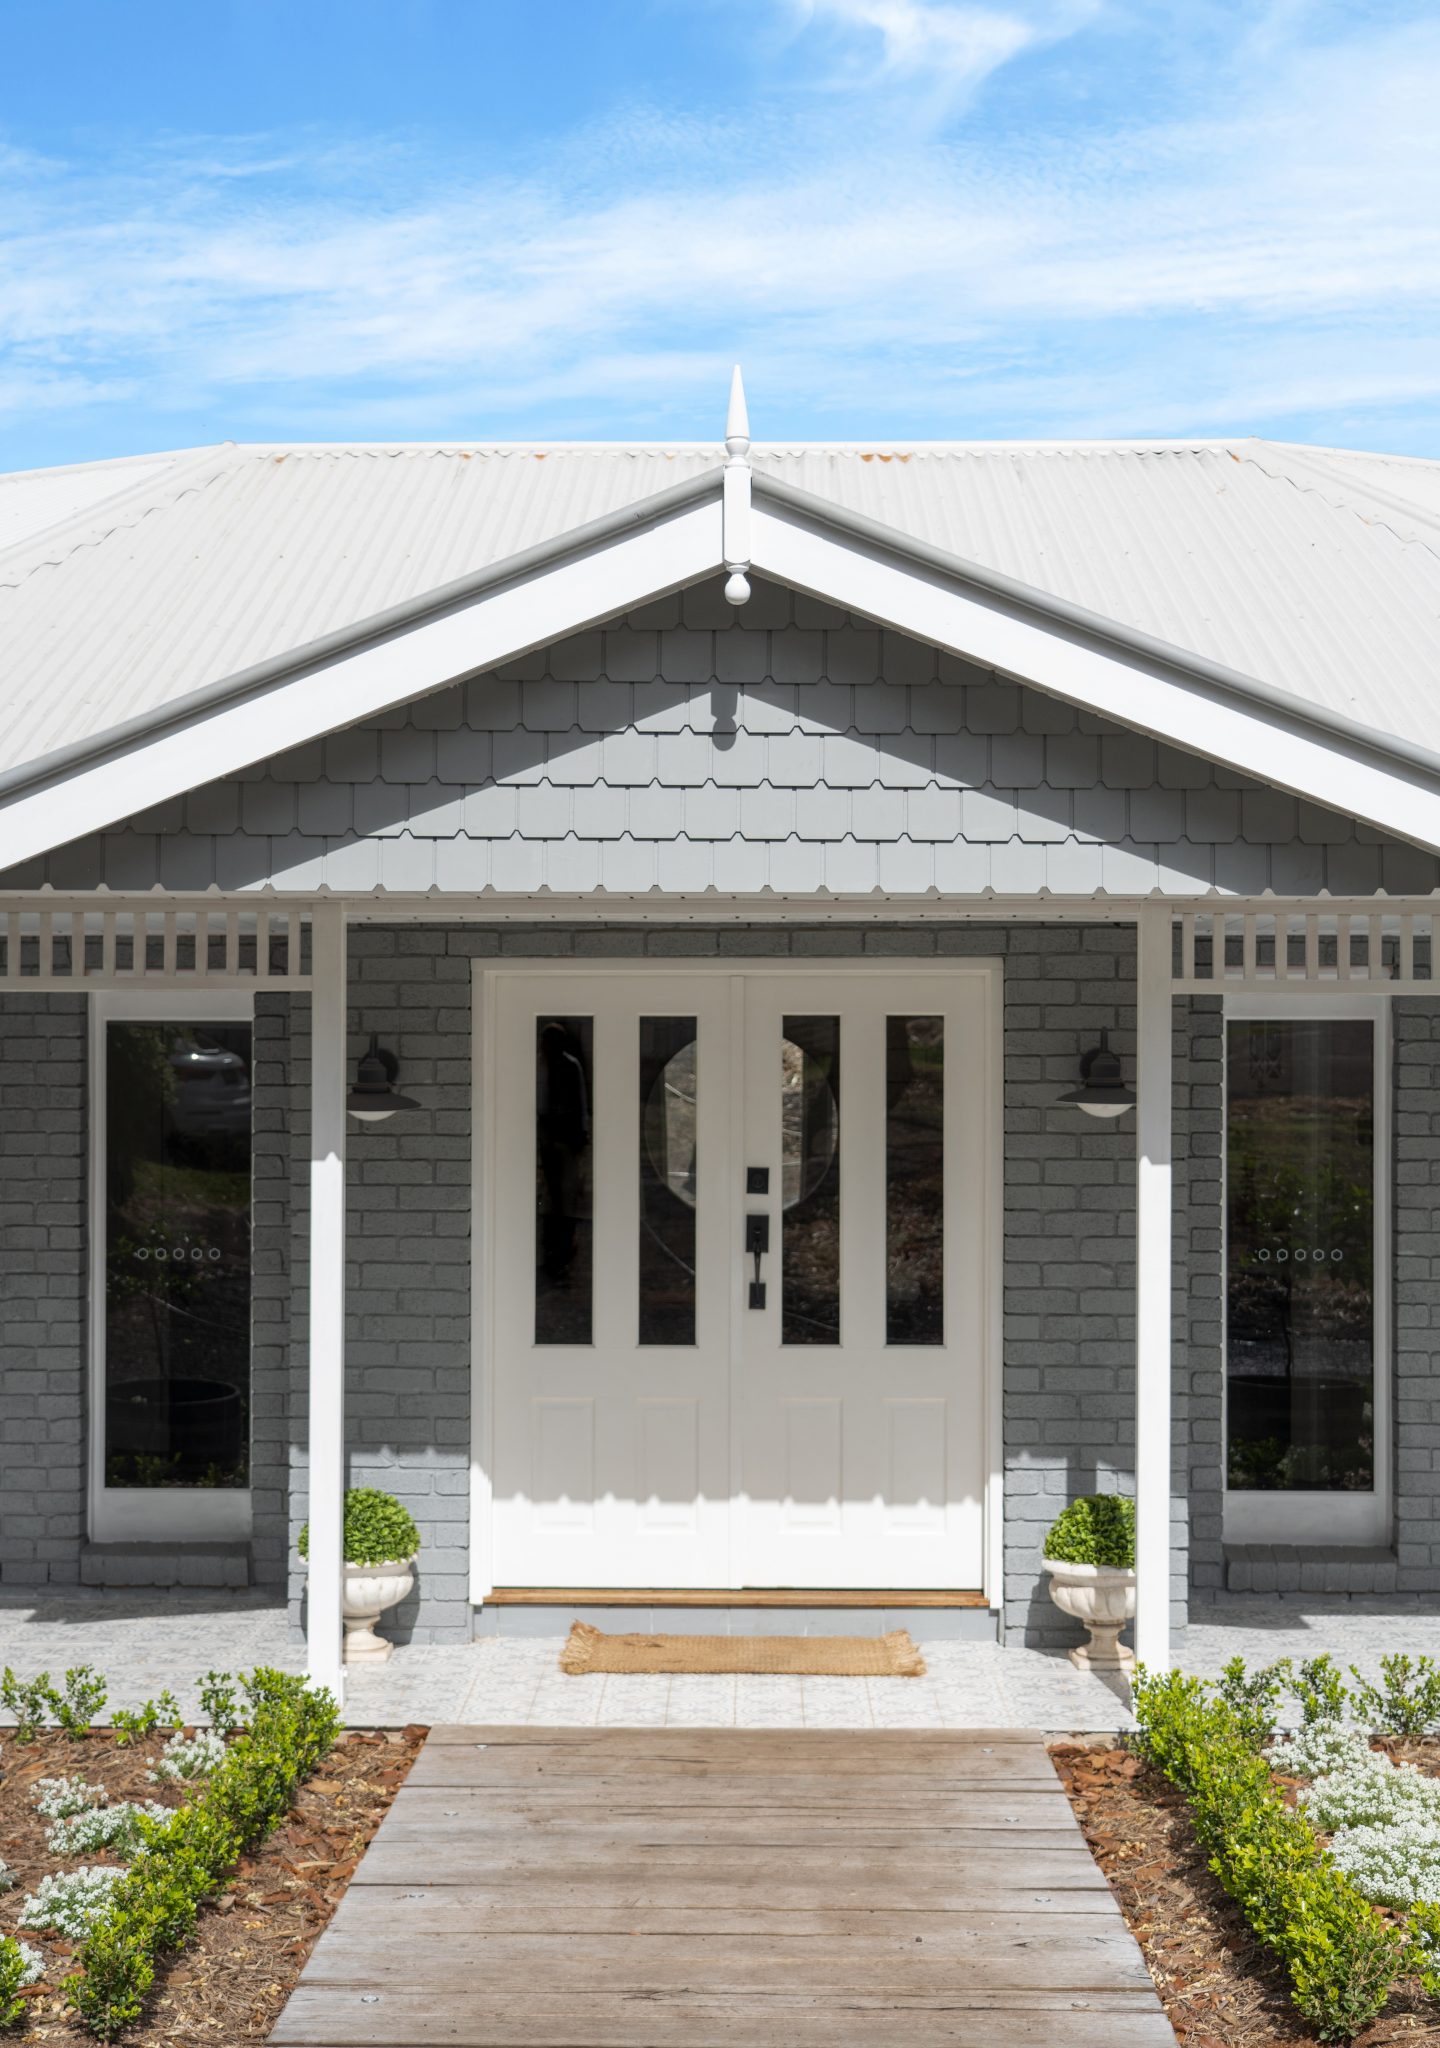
<point x="1322" y="1521"/>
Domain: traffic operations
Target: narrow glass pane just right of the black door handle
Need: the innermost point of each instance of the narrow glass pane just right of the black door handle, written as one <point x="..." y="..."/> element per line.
<point x="810" y="1181"/>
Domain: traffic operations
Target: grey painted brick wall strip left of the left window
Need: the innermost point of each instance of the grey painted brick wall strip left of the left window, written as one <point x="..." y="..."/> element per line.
<point x="42" y="1287"/>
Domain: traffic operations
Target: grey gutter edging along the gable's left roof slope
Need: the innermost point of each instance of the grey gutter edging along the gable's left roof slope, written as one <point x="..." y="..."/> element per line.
<point x="280" y="669"/>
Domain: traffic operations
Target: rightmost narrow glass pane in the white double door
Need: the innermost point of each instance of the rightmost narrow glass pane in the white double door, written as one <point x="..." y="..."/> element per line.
<point x="915" y="1181"/>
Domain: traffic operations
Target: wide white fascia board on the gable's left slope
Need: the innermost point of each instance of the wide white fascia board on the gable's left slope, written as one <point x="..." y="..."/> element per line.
<point x="362" y="683"/>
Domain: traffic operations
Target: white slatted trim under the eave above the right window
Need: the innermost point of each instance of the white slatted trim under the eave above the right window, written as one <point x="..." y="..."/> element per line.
<point x="1378" y="947"/>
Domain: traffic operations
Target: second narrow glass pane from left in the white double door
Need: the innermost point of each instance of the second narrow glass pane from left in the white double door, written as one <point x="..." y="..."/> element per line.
<point x="667" y="1179"/>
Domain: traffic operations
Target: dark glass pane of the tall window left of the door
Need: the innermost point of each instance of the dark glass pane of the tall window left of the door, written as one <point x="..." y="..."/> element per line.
<point x="177" y="1256"/>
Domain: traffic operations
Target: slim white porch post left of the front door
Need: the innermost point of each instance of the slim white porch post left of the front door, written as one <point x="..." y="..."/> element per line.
<point x="327" y="1293"/>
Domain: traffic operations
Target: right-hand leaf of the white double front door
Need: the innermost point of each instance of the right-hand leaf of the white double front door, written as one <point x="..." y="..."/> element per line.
<point x="863" y="1459"/>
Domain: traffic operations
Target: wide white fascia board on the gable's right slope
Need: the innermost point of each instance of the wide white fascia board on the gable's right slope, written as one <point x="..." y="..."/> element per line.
<point x="1070" y="663"/>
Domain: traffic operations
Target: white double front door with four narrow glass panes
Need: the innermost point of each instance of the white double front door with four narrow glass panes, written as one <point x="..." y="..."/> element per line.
<point x="736" y="1277"/>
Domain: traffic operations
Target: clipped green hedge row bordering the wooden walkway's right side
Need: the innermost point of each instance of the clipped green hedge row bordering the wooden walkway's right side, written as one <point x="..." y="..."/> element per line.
<point x="1341" y="1955"/>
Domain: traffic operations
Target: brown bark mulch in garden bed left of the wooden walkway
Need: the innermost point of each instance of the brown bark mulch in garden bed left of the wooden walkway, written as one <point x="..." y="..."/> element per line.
<point x="253" y="1943"/>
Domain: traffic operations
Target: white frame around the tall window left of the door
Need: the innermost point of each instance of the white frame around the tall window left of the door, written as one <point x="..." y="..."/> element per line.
<point x="146" y="1514"/>
